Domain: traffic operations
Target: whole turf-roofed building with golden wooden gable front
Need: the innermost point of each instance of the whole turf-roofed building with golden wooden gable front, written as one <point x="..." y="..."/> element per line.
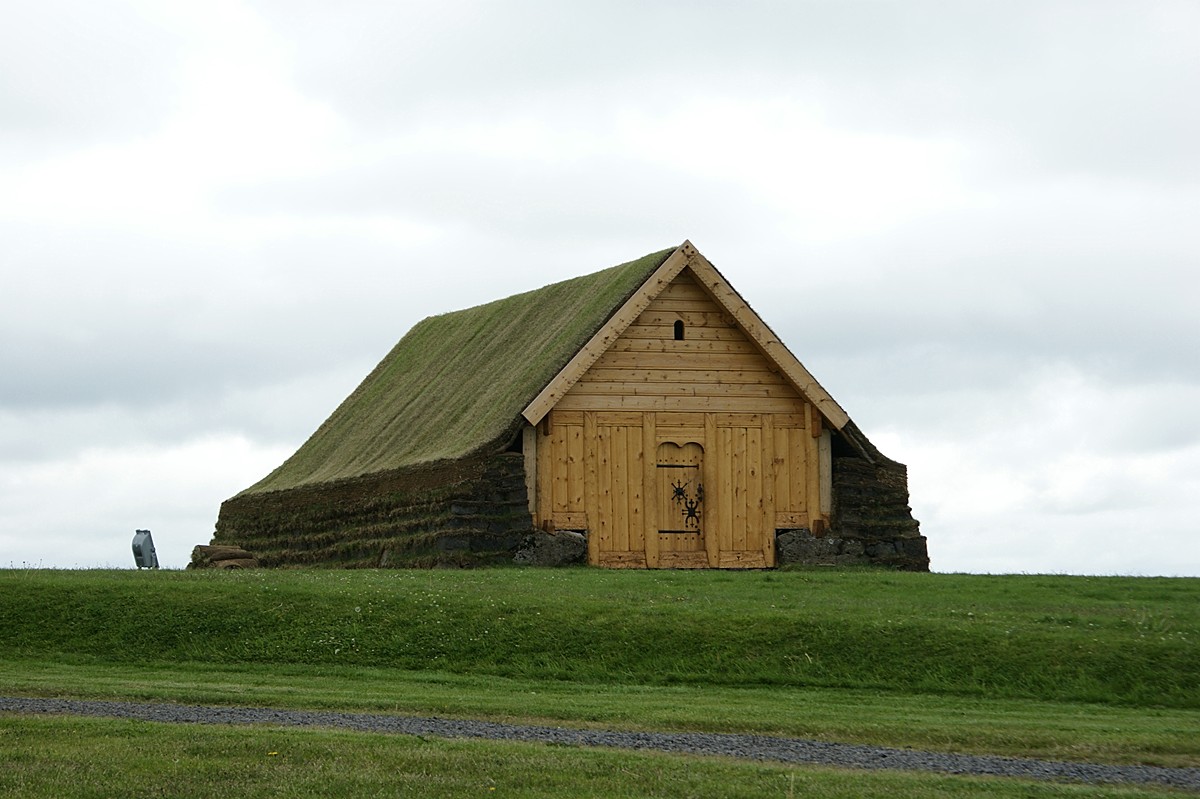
<point x="644" y="414"/>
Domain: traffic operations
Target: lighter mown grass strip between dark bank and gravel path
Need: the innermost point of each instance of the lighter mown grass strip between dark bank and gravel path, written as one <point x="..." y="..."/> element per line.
<point x="1058" y="731"/>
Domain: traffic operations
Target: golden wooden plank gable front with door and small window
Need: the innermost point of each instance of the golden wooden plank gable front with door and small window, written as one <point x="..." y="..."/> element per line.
<point x="685" y="435"/>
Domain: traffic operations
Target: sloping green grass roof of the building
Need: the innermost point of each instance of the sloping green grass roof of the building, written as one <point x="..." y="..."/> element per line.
<point x="457" y="385"/>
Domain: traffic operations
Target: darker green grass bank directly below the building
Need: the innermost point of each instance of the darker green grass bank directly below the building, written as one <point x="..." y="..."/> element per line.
<point x="1123" y="641"/>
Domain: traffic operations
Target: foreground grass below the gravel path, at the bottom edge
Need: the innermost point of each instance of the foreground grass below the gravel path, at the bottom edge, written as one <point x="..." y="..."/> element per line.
<point x="47" y="759"/>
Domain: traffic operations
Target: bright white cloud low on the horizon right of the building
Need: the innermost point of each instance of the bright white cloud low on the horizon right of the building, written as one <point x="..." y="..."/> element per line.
<point x="1045" y="478"/>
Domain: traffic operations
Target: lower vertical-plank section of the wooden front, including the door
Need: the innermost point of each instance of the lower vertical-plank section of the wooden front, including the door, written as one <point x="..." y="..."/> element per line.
<point x="671" y="491"/>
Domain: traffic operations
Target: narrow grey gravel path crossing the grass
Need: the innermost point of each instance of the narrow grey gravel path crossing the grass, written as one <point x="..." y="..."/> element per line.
<point x="757" y="748"/>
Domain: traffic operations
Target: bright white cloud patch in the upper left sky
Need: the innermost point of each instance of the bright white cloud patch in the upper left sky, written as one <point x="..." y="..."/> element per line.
<point x="235" y="118"/>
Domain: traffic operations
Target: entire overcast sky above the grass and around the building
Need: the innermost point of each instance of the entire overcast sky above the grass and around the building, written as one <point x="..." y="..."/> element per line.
<point x="976" y="224"/>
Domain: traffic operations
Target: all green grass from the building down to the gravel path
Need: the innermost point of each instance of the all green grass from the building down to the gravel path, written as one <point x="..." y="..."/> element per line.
<point x="1105" y="670"/>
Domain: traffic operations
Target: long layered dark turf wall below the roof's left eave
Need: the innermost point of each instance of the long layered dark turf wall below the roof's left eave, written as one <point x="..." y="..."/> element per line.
<point x="461" y="514"/>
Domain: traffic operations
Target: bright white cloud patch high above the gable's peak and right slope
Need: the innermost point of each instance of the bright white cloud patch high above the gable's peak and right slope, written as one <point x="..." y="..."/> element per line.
<point x="817" y="181"/>
